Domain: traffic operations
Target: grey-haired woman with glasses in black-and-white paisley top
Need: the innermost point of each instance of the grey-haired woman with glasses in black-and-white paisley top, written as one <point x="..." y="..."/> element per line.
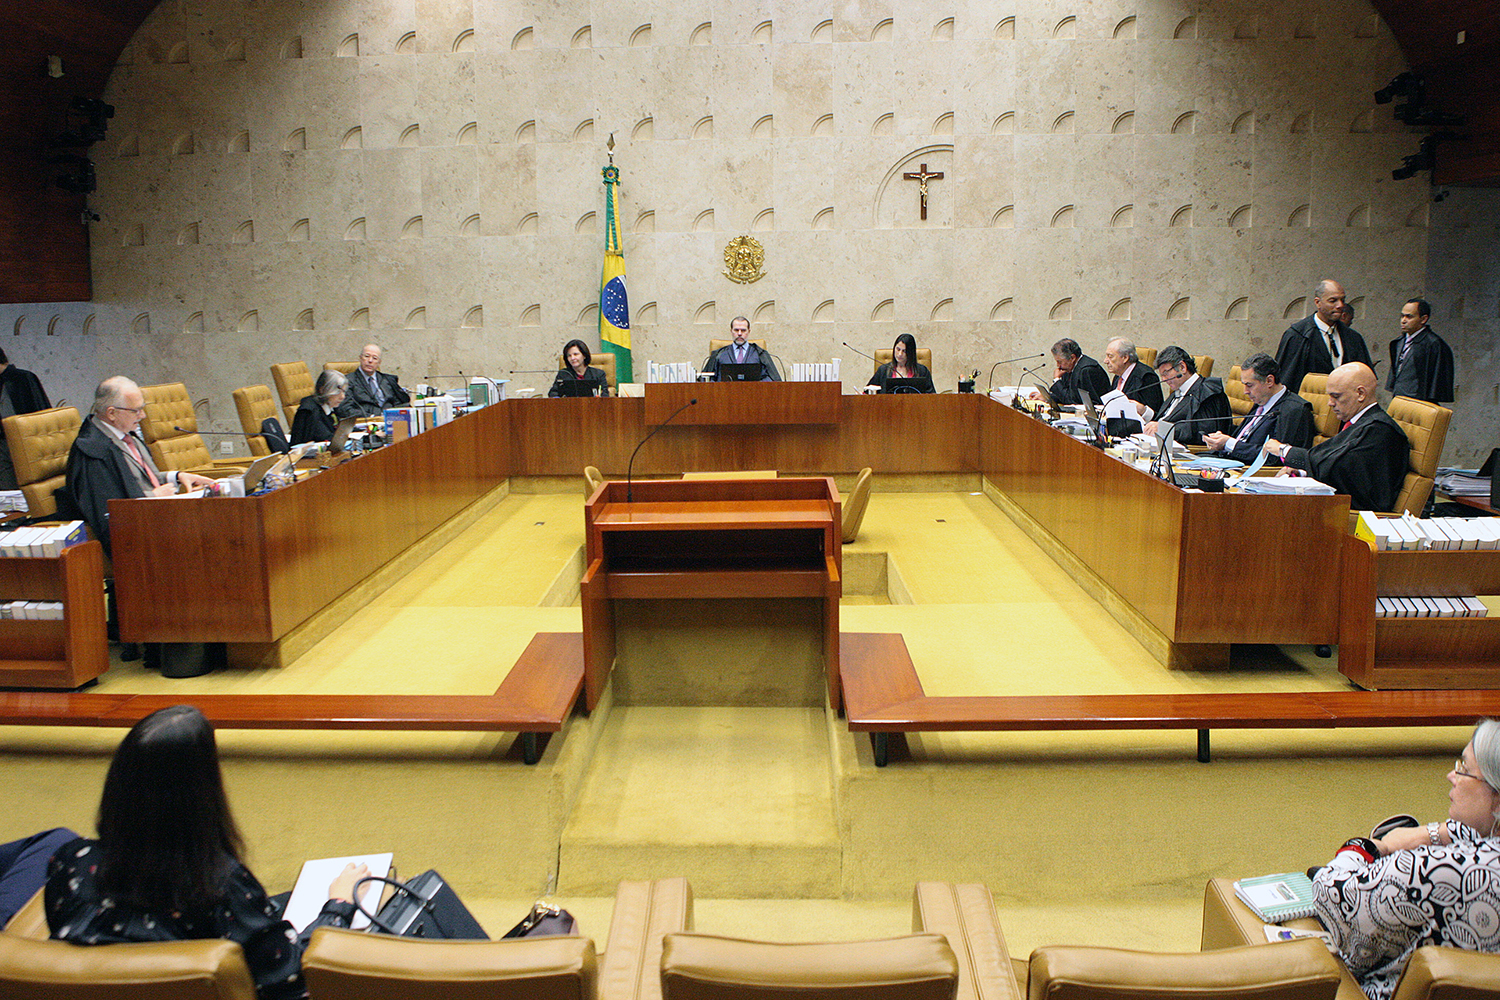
<point x="1385" y="897"/>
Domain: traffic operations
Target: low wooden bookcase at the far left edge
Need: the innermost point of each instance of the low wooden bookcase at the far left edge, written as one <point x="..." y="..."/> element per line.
<point x="55" y="653"/>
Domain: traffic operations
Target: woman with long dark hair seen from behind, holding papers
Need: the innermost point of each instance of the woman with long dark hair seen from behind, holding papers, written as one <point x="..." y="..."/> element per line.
<point x="169" y="861"/>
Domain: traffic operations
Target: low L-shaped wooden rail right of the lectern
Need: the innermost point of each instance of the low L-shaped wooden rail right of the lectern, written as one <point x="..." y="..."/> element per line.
<point x="884" y="696"/>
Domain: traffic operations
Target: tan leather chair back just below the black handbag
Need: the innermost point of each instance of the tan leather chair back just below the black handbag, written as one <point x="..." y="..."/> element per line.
<point x="355" y="966"/>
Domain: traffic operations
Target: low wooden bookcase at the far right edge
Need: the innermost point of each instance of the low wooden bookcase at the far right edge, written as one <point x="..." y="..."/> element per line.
<point x="1412" y="653"/>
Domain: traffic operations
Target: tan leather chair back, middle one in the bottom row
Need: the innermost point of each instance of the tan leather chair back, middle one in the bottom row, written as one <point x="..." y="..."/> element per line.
<point x="706" y="968"/>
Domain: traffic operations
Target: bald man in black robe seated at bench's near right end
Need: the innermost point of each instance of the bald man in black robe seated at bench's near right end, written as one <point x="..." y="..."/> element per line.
<point x="1369" y="458"/>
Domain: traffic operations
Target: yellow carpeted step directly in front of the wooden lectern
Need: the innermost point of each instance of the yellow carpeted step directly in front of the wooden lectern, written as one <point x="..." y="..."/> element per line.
<point x="739" y="800"/>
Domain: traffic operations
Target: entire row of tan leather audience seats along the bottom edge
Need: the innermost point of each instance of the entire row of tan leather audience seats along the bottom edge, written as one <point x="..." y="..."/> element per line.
<point x="956" y="953"/>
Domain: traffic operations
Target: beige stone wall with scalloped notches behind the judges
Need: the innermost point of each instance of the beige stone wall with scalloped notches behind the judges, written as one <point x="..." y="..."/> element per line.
<point x="290" y="181"/>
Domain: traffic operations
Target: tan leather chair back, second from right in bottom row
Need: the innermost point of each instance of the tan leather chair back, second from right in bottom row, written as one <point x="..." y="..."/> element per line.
<point x="1289" y="971"/>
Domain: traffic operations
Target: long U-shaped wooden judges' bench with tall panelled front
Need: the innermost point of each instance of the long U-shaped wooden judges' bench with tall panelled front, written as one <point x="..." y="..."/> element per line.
<point x="251" y="570"/>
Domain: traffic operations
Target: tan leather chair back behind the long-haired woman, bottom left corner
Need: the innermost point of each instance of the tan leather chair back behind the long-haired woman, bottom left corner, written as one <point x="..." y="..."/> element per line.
<point x="169" y="971"/>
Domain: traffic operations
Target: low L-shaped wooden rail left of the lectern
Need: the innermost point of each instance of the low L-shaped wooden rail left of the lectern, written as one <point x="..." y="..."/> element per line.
<point x="536" y="698"/>
